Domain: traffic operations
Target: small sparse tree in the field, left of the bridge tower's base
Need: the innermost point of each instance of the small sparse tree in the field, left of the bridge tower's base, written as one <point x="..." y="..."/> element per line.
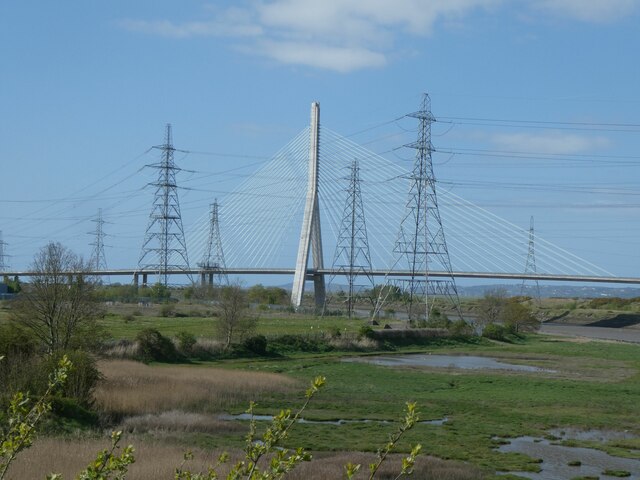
<point x="233" y="325"/>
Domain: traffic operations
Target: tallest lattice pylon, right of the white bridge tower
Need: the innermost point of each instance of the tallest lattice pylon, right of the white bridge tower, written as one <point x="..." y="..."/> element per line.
<point x="421" y="240"/>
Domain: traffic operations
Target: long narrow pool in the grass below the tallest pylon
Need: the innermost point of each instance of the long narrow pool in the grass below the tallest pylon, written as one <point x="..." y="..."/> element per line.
<point x="445" y="361"/>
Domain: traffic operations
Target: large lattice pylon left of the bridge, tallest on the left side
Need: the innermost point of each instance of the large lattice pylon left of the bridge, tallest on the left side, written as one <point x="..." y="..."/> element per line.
<point x="164" y="248"/>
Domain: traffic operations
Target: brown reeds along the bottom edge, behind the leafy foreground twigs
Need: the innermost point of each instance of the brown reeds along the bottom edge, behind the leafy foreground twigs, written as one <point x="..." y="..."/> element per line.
<point x="156" y="461"/>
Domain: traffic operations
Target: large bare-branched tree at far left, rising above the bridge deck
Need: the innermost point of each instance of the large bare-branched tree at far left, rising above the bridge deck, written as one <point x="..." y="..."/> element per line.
<point x="59" y="304"/>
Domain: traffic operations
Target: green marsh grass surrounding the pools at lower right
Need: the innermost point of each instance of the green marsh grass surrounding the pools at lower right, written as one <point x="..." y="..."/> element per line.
<point x="480" y="406"/>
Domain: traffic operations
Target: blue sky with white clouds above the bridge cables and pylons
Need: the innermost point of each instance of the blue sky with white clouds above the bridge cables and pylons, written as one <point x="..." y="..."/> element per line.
<point x="536" y="104"/>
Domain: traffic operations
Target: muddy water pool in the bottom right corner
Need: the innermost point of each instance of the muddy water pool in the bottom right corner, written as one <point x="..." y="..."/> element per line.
<point x="561" y="462"/>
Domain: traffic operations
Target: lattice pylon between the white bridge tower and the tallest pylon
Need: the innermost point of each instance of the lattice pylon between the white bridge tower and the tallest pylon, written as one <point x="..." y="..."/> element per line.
<point x="352" y="250"/>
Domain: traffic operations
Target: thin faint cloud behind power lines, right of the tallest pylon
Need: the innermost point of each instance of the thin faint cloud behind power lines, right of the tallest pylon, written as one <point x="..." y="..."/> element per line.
<point x="553" y="142"/>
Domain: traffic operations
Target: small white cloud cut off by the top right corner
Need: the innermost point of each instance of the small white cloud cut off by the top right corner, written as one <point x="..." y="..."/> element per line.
<point x="595" y="11"/>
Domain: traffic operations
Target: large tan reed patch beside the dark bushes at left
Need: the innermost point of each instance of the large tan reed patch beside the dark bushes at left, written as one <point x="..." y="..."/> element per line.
<point x="133" y="388"/>
